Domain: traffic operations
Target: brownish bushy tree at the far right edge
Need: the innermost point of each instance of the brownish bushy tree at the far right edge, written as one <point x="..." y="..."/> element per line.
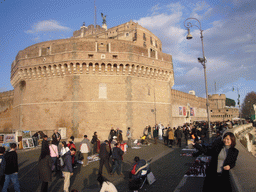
<point x="247" y="109"/>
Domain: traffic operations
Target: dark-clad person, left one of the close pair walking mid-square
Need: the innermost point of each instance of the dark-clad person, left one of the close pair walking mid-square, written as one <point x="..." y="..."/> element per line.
<point x="104" y="157"/>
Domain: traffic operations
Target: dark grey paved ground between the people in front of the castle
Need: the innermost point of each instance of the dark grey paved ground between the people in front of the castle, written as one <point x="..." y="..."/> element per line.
<point x="167" y="166"/>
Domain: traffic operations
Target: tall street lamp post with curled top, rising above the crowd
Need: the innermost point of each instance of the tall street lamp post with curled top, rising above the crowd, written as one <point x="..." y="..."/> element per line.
<point x="188" y="25"/>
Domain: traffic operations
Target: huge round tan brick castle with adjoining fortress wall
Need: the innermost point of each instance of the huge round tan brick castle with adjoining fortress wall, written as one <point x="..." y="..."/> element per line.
<point x="98" y="79"/>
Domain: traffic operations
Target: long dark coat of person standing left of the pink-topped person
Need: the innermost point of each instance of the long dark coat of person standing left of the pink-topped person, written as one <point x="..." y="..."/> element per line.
<point x="45" y="169"/>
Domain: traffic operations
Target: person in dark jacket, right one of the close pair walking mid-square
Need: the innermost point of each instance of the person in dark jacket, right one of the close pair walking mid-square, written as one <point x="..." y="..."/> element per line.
<point x="117" y="156"/>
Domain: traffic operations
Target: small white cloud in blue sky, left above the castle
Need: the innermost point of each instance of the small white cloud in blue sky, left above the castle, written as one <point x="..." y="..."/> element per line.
<point x="46" y="26"/>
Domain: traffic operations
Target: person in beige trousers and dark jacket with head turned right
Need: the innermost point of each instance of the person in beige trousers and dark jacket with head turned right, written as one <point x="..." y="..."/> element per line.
<point x="67" y="169"/>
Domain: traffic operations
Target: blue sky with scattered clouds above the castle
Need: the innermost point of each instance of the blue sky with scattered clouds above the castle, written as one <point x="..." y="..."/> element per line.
<point x="229" y="35"/>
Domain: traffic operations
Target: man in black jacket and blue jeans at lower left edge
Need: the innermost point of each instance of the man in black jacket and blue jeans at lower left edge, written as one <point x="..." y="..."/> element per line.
<point x="11" y="169"/>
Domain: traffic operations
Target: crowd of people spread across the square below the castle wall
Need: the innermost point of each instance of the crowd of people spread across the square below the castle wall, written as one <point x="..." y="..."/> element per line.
<point x="111" y="154"/>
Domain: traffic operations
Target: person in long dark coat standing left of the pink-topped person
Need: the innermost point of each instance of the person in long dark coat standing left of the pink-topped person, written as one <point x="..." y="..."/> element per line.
<point x="45" y="168"/>
